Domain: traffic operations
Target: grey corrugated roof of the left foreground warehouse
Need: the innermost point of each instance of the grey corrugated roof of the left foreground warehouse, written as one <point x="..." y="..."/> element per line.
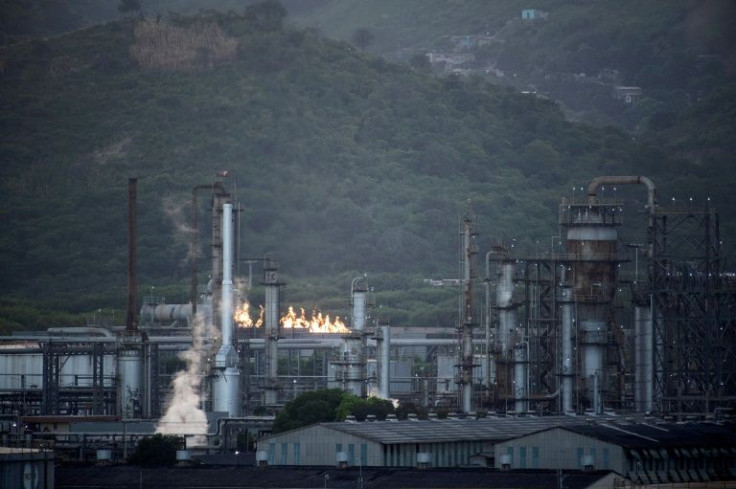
<point x="448" y="430"/>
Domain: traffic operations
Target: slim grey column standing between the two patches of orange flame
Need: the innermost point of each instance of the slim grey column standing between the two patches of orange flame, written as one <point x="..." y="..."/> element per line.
<point x="271" y="324"/>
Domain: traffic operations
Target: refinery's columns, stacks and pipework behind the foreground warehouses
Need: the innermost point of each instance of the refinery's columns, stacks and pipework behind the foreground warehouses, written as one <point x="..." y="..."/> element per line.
<point x="573" y="331"/>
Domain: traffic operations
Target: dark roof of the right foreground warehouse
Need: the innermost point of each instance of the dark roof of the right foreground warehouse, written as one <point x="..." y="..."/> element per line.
<point x="645" y="435"/>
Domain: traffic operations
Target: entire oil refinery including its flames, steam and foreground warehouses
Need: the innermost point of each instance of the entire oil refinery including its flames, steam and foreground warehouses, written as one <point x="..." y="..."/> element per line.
<point x="592" y="338"/>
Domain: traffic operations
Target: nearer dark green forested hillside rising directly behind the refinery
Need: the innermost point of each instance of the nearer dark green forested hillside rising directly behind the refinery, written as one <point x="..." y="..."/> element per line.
<point x="343" y="162"/>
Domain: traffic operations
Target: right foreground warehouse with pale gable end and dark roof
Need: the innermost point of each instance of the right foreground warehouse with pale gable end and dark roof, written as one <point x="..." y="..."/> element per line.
<point x="643" y="452"/>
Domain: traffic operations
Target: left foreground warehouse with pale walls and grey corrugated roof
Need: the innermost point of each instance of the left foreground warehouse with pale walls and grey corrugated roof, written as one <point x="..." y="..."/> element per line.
<point x="412" y="443"/>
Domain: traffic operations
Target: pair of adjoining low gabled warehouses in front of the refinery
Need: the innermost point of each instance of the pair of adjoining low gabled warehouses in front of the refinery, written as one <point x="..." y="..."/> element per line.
<point x="640" y="450"/>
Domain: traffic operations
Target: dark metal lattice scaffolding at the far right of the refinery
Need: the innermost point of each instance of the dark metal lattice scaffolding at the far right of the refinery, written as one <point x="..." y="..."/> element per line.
<point x="693" y="302"/>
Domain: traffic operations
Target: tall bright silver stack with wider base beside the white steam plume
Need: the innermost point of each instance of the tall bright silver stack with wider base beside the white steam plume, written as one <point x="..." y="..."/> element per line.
<point x="227" y="381"/>
